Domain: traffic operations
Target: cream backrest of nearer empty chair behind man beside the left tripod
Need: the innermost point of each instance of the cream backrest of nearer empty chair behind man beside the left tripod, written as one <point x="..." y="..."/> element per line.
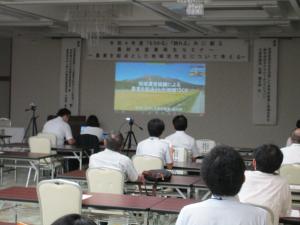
<point x="39" y="144"/>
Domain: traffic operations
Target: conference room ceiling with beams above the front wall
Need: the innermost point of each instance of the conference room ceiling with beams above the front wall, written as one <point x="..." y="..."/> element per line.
<point x="157" y="18"/>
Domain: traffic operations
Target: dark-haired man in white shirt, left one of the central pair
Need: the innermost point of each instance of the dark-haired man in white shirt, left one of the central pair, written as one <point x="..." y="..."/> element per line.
<point x="154" y="146"/>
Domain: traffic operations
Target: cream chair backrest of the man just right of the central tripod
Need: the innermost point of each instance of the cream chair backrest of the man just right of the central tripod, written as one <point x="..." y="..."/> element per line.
<point x="146" y="162"/>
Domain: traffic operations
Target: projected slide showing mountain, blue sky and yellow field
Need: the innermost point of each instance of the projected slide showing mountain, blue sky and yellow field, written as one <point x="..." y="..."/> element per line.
<point x="160" y="87"/>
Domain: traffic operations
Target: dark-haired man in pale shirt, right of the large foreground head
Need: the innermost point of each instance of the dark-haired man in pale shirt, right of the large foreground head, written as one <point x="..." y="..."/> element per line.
<point x="264" y="186"/>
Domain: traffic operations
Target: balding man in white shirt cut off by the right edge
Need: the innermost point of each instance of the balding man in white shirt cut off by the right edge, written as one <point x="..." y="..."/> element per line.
<point x="291" y="154"/>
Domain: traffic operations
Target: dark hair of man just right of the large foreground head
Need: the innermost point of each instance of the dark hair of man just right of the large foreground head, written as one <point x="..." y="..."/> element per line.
<point x="268" y="158"/>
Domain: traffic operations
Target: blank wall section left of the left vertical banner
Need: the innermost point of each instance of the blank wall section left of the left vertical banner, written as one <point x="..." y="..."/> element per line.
<point x="35" y="79"/>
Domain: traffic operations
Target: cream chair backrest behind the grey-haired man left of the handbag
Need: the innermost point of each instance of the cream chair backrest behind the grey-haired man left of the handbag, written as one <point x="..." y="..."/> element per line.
<point x="105" y="180"/>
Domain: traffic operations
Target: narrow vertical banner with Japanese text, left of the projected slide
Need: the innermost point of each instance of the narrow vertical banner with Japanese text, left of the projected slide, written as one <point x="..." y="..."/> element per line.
<point x="69" y="74"/>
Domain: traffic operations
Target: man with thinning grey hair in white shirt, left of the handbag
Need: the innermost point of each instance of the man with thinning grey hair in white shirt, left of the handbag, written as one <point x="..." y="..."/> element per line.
<point x="111" y="158"/>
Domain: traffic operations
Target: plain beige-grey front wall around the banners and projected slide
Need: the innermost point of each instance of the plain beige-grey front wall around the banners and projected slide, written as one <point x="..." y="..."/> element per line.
<point x="228" y="117"/>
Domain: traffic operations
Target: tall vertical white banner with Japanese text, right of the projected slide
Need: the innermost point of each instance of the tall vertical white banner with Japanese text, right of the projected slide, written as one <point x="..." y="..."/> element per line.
<point x="265" y="81"/>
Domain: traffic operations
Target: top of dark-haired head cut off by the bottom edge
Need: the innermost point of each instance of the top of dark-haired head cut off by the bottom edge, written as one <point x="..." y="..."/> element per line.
<point x="73" y="219"/>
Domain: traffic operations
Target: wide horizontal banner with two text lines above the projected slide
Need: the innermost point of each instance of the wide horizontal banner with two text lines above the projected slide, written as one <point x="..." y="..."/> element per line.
<point x="183" y="50"/>
